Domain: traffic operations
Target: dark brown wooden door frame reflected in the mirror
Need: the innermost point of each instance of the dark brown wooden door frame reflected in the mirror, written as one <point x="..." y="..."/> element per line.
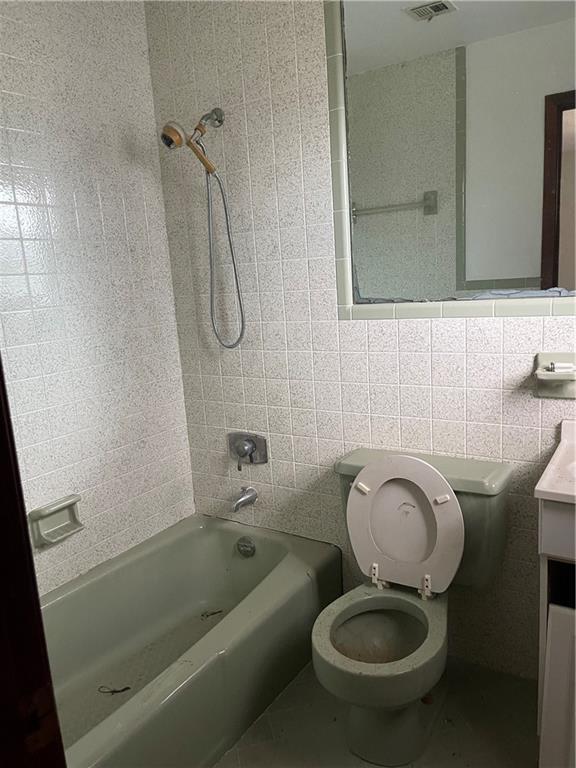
<point x="555" y="105"/>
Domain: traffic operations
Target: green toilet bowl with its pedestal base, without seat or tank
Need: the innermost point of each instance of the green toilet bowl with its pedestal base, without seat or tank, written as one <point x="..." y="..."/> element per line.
<point x="384" y="653"/>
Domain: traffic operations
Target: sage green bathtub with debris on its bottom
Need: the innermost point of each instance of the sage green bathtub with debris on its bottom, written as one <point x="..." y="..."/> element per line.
<point x="164" y="655"/>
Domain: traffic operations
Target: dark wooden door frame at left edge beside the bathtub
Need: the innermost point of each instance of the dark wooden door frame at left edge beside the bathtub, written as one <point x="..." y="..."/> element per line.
<point x="30" y="732"/>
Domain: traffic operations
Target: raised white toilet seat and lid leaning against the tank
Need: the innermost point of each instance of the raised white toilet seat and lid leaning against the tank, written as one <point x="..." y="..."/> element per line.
<point x="405" y="524"/>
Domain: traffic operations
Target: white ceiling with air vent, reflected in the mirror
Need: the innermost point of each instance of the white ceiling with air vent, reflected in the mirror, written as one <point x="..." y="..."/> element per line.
<point x="379" y="33"/>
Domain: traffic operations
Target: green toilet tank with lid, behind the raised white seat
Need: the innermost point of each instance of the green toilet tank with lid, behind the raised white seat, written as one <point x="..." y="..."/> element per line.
<point x="481" y="488"/>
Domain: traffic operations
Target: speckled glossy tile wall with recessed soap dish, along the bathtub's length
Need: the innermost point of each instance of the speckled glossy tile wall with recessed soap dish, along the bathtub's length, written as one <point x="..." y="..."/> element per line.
<point x="88" y="335"/>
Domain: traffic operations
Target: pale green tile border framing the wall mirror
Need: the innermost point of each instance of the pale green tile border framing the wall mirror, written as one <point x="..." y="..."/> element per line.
<point x="347" y="310"/>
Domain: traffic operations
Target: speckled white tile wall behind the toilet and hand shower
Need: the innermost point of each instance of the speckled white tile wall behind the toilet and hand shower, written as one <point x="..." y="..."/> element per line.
<point x="314" y="386"/>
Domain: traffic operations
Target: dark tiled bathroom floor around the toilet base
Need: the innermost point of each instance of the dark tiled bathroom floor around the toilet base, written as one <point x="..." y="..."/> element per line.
<point x="489" y="721"/>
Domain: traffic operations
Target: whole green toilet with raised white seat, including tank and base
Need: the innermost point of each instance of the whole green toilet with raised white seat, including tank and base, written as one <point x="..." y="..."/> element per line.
<point x="417" y="524"/>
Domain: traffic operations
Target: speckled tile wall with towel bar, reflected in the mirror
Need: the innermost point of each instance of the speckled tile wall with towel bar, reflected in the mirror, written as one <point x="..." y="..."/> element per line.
<point x="404" y="254"/>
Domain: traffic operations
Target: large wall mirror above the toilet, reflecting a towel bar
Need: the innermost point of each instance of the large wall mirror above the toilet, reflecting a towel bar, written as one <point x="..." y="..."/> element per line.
<point x="445" y="112"/>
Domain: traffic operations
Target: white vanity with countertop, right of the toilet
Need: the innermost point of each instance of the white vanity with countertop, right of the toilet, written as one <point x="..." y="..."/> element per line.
<point x="556" y="491"/>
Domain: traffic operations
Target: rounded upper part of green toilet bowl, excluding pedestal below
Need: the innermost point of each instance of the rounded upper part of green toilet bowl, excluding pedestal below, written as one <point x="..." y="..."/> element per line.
<point x="378" y="648"/>
